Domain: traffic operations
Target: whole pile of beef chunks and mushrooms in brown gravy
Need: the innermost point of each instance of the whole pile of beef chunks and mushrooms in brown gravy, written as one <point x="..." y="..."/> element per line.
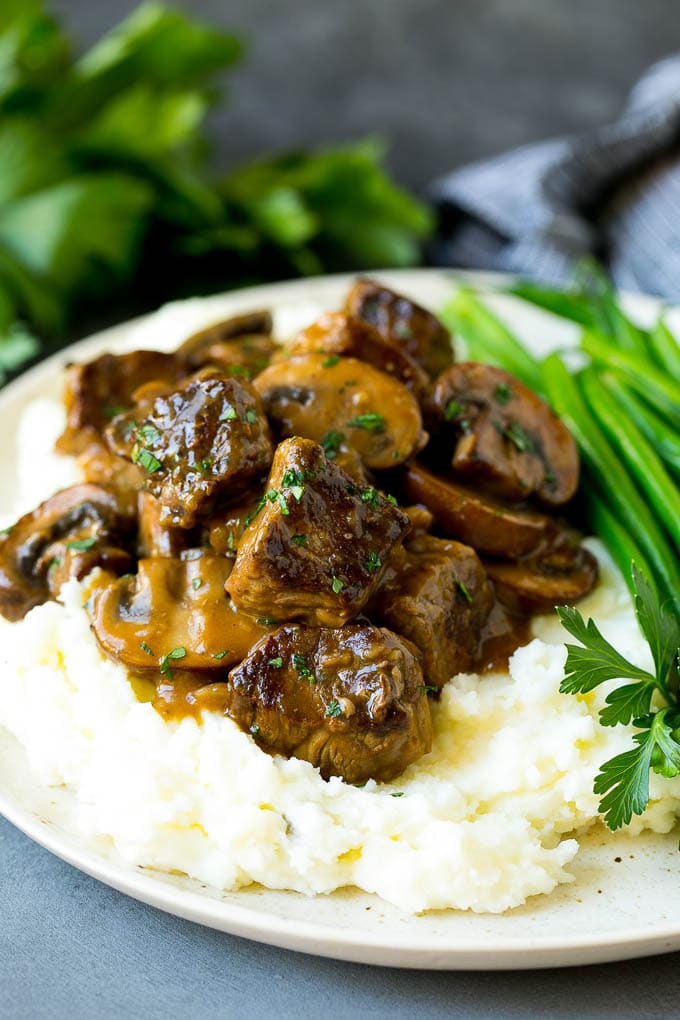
<point x="242" y="503"/>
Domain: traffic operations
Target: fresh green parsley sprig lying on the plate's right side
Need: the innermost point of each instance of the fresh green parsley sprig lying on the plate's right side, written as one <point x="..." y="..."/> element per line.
<point x="623" y="782"/>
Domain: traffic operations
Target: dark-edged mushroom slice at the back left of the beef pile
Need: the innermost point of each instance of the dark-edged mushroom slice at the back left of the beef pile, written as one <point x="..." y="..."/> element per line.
<point x="241" y="346"/>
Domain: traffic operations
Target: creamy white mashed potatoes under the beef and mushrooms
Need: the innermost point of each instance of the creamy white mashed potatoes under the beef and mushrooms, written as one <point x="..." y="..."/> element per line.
<point x="479" y="824"/>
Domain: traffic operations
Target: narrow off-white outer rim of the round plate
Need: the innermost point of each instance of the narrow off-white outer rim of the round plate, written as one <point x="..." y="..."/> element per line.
<point x="308" y="937"/>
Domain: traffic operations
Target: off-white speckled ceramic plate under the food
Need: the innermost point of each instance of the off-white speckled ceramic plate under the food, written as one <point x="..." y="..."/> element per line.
<point x="625" y="899"/>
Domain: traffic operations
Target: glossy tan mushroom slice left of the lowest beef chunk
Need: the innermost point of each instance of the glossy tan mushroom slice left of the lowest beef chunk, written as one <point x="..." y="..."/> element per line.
<point x="173" y="614"/>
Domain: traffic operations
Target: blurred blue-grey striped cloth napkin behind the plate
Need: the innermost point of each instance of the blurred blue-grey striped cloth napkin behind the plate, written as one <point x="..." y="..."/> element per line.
<point x="613" y="192"/>
